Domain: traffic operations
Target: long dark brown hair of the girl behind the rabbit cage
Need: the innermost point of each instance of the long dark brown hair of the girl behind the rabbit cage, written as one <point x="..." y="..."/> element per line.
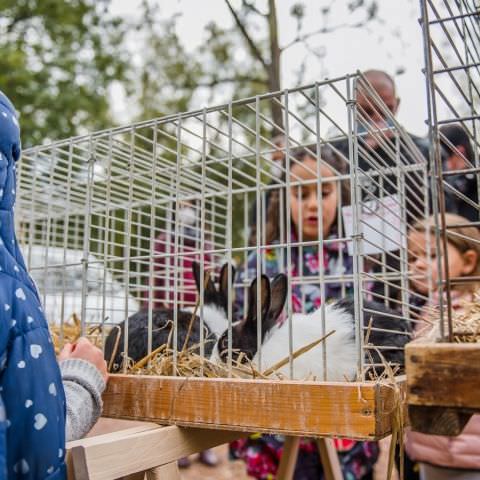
<point x="273" y="214"/>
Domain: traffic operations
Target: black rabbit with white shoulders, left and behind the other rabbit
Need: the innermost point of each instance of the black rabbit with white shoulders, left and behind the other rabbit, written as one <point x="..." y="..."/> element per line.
<point x="214" y="315"/>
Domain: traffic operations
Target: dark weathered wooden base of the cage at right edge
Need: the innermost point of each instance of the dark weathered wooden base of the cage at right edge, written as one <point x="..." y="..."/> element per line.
<point x="442" y="386"/>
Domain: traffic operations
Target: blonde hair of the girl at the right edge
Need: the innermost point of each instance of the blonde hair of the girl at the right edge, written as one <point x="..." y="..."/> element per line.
<point x="462" y="238"/>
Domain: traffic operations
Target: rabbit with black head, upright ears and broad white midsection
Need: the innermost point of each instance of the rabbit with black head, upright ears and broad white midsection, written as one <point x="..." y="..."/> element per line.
<point x="306" y="328"/>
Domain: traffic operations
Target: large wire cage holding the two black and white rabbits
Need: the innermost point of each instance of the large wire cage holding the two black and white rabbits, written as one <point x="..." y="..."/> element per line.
<point x="123" y="227"/>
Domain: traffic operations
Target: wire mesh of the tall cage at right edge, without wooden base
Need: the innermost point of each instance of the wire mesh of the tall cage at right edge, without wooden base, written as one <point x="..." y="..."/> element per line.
<point x="451" y="31"/>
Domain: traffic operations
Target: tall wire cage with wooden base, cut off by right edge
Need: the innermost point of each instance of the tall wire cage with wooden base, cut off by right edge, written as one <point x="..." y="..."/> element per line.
<point x="442" y="365"/>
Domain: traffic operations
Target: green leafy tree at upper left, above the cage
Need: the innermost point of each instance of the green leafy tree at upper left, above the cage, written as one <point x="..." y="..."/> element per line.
<point x="58" y="61"/>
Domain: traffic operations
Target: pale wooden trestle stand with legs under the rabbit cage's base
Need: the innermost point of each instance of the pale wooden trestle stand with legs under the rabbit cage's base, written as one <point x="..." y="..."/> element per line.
<point x="132" y="450"/>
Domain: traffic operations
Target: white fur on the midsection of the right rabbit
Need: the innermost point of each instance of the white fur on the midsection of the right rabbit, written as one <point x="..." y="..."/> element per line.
<point x="341" y="350"/>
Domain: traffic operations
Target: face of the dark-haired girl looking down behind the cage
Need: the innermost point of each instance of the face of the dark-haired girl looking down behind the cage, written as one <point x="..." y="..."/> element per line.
<point x="304" y="201"/>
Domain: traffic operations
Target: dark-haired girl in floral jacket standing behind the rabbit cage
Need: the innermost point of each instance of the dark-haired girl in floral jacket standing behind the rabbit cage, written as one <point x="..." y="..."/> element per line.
<point x="262" y="452"/>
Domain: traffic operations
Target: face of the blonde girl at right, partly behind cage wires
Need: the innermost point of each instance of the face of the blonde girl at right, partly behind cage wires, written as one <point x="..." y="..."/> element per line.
<point x="459" y="264"/>
